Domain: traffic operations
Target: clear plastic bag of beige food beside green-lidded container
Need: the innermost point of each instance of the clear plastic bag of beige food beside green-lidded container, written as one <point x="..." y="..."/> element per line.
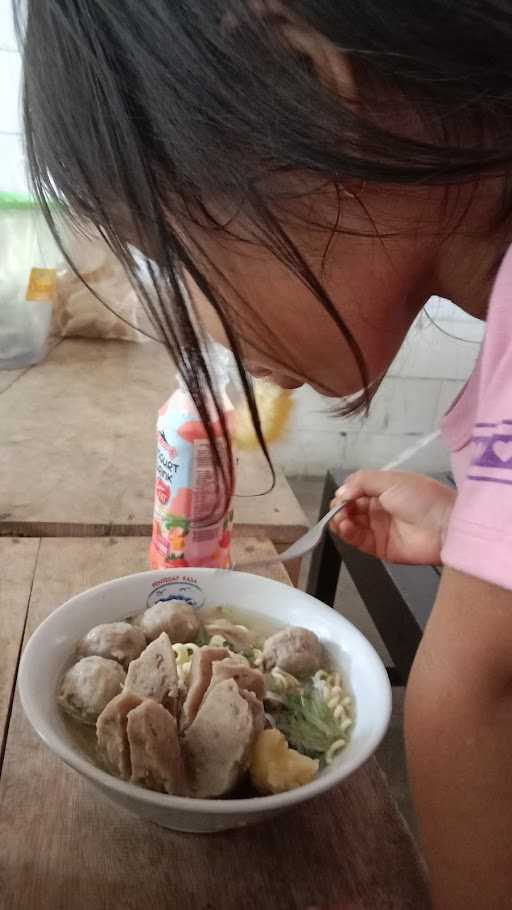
<point x="79" y="313"/>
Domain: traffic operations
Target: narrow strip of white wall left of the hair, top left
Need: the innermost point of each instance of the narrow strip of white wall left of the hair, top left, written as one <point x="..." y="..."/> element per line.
<point x="12" y="174"/>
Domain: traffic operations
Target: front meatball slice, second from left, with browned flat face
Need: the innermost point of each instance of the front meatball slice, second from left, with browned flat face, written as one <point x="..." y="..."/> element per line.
<point x="155" y="753"/>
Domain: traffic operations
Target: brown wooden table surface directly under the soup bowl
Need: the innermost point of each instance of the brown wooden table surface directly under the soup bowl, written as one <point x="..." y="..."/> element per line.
<point x="62" y="847"/>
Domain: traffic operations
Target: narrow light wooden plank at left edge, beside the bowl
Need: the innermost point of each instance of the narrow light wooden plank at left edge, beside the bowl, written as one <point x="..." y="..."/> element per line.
<point x="17" y="565"/>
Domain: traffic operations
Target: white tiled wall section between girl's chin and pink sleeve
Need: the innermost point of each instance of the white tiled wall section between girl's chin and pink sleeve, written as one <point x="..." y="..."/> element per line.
<point x="427" y="375"/>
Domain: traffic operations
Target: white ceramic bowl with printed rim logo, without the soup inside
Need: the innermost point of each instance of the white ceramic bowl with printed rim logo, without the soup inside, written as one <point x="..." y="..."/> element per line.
<point x="51" y="646"/>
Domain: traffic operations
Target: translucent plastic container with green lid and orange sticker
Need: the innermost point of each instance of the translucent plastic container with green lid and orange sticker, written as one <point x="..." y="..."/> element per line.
<point x="25" y="244"/>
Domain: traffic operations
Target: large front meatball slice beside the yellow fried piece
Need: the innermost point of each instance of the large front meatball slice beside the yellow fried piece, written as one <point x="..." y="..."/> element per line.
<point x="217" y="746"/>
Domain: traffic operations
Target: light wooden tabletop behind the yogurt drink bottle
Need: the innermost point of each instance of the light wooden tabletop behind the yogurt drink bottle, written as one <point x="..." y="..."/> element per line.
<point x="82" y="424"/>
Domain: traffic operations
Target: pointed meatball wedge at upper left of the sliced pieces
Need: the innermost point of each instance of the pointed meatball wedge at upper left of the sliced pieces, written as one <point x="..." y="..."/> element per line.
<point x="154" y="674"/>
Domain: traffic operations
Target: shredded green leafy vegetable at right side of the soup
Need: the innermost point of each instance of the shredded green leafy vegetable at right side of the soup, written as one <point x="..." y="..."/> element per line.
<point x="307" y="722"/>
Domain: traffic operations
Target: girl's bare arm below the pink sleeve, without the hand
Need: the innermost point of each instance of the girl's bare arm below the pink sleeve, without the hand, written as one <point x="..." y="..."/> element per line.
<point x="459" y="742"/>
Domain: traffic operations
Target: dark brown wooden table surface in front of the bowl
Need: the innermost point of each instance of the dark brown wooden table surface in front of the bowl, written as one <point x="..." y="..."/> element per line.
<point x="65" y="848"/>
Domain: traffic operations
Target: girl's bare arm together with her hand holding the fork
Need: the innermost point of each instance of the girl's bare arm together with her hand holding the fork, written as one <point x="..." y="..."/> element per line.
<point x="459" y="697"/>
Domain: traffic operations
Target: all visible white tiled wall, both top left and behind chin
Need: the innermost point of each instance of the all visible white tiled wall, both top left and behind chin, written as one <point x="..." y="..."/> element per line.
<point x="426" y="376"/>
